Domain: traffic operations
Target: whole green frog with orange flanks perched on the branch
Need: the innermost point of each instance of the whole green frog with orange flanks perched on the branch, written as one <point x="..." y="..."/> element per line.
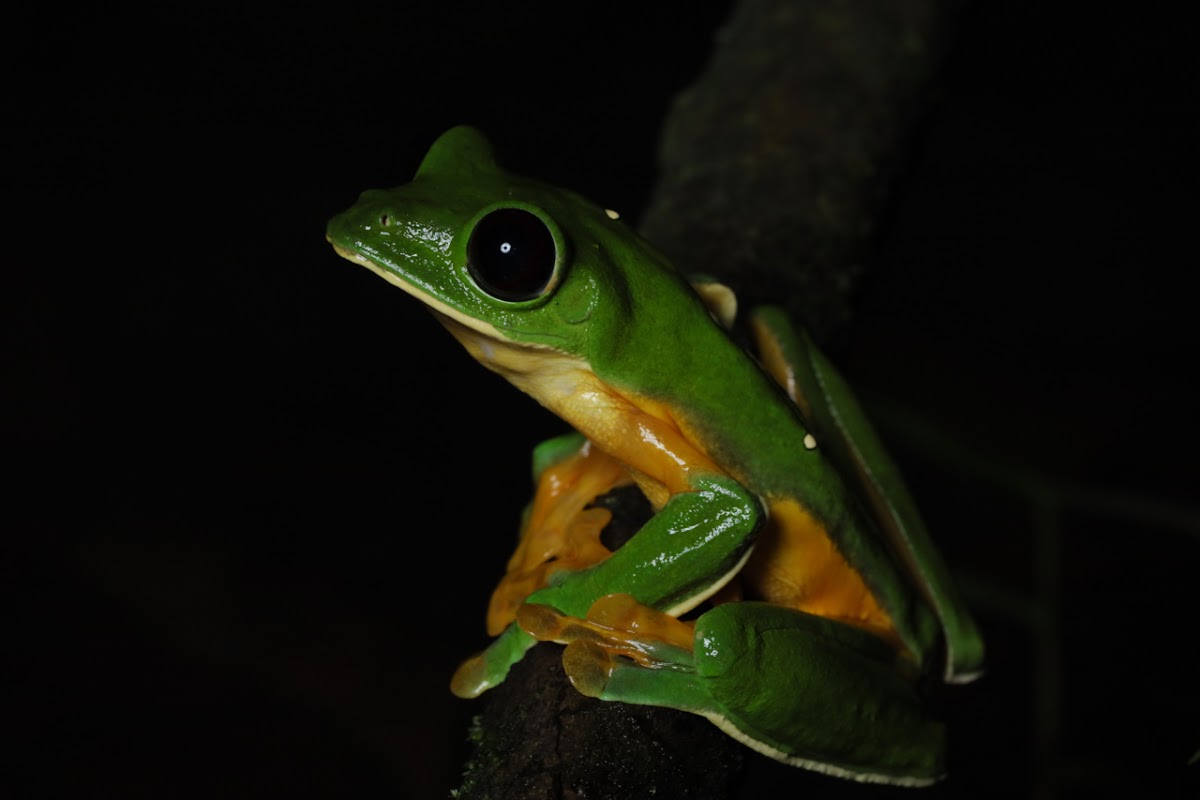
<point x="785" y="587"/>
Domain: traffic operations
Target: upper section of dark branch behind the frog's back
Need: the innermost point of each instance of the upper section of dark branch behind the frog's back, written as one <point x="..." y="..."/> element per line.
<point x="776" y="166"/>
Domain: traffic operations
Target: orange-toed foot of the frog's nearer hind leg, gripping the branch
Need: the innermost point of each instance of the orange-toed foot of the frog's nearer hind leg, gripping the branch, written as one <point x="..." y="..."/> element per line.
<point x="620" y="635"/>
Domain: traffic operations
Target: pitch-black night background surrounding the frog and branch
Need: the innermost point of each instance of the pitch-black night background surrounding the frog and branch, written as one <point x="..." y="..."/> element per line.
<point x="254" y="492"/>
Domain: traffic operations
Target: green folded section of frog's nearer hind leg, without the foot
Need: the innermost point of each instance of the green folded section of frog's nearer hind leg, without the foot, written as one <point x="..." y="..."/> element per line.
<point x="818" y="694"/>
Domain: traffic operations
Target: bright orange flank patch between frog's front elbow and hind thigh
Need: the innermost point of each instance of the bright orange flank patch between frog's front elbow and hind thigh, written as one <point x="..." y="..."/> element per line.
<point x="796" y="564"/>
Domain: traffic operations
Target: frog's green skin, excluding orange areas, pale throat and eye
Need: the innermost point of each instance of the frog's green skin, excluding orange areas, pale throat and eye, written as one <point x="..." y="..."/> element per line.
<point x="802" y="689"/>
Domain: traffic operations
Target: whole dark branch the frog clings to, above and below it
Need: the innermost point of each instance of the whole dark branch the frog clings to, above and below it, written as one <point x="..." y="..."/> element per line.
<point x="775" y="169"/>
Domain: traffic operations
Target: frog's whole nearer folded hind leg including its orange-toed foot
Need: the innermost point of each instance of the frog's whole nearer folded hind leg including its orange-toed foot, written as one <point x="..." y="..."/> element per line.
<point x="802" y="689"/>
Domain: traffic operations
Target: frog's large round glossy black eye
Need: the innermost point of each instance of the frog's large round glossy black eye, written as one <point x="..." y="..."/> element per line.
<point x="512" y="255"/>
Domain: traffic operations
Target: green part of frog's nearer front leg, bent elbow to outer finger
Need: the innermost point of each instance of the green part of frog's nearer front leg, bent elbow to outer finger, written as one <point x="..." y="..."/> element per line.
<point x="683" y="555"/>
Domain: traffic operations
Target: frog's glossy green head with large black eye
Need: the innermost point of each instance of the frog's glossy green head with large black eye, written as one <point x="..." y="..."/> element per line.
<point x="500" y="258"/>
